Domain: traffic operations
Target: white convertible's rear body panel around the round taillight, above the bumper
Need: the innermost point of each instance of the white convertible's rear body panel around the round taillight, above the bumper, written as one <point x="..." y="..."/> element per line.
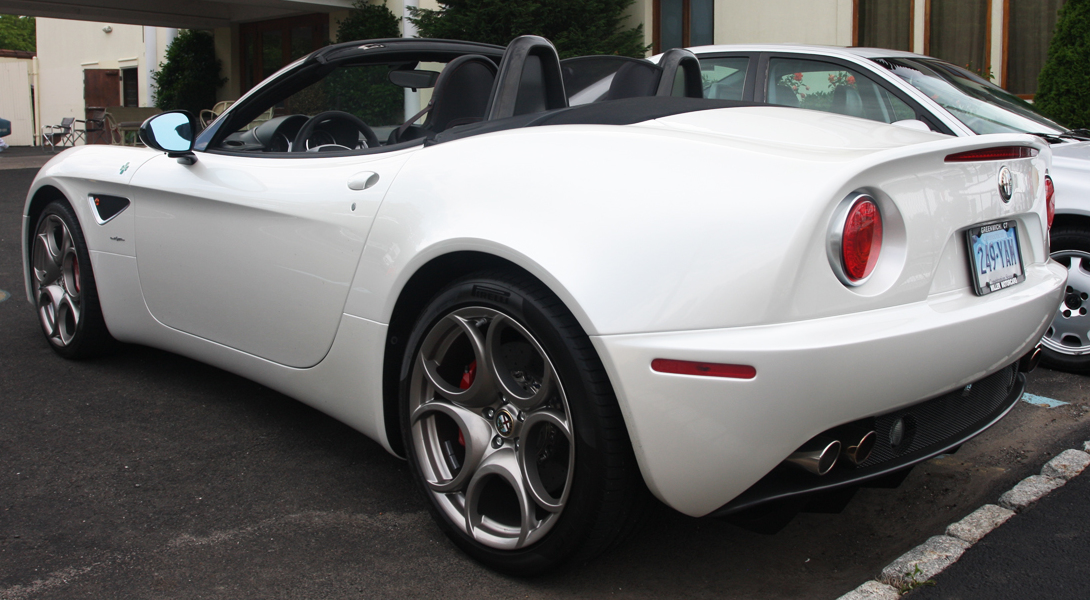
<point x="689" y="246"/>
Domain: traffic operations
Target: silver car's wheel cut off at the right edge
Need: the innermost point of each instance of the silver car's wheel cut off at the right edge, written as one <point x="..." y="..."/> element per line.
<point x="1068" y="342"/>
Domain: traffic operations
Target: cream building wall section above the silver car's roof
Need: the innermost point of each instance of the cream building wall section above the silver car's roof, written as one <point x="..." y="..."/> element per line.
<point x="783" y="21"/>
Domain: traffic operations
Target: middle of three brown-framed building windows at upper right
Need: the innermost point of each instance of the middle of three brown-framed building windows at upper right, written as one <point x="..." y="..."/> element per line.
<point x="959" y="33"/>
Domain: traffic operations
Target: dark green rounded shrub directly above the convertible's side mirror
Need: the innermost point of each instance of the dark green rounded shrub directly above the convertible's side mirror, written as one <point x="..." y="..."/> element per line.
<point x="190" y="78"/>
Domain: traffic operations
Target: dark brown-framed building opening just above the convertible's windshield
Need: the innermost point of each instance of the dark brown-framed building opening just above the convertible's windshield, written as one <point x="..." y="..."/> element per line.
<point x="271" y="45"/>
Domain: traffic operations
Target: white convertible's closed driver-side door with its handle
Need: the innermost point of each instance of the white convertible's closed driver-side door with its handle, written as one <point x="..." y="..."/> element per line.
<point x="256" y="254"/>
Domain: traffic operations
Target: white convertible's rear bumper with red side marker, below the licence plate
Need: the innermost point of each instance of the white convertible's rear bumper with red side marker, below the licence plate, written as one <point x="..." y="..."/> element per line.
<point x="701" y="441"/>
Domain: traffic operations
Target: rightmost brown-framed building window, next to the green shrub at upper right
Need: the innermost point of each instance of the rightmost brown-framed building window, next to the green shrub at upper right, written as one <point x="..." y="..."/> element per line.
<point x="1031" y="25"/>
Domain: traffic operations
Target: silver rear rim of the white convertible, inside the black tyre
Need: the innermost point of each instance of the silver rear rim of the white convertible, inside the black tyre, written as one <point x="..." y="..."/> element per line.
<point x="491" y="428"/>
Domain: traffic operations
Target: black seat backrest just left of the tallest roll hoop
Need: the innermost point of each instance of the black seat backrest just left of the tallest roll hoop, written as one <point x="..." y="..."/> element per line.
<point x="462" y="93"/>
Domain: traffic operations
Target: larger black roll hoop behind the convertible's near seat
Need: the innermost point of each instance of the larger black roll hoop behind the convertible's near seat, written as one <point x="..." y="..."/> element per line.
<point x="529" y="80"/>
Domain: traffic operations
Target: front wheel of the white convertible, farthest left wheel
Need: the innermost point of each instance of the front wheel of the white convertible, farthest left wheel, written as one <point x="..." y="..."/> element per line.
<point x="65" y="285"/>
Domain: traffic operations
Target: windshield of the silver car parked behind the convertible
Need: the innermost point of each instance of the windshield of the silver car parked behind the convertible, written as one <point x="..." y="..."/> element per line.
<point x="983" y="106"/>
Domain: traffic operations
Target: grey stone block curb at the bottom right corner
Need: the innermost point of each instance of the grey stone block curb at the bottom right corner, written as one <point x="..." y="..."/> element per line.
<point x="929" y="559"/>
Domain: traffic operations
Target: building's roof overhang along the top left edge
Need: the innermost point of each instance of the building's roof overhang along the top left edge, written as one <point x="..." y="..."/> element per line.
<point x="195" y="15"/>
